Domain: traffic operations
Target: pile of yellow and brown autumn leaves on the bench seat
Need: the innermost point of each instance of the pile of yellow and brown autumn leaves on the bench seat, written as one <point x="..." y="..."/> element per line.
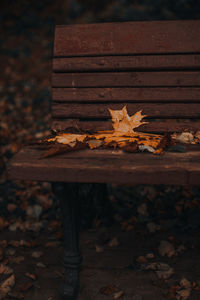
<point x="121" y="137"/>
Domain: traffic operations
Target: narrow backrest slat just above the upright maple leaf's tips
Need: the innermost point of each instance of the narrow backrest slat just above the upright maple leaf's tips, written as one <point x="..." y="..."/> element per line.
<point x="173" y="94"/>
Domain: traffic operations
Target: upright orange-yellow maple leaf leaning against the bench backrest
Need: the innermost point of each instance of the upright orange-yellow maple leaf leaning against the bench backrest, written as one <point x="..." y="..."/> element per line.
<point x="122" y="122"/>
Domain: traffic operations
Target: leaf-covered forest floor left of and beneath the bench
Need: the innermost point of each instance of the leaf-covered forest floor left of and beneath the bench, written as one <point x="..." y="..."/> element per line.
<point x="150" y="251"/>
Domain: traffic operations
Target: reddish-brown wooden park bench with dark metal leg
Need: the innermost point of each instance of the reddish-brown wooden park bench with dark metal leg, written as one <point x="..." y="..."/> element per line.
<point x="154" y="66"/>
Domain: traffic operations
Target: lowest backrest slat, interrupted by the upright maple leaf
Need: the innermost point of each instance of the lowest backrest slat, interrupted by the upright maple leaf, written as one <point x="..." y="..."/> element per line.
<point x="167" y="125"/>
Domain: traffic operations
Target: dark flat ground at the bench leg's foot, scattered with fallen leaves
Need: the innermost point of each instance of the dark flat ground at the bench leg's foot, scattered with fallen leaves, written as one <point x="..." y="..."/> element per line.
<point x="111" y="257"/>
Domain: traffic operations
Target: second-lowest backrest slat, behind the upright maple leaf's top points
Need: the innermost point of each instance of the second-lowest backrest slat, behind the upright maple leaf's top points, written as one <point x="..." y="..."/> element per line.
<point x="101" y="110"/>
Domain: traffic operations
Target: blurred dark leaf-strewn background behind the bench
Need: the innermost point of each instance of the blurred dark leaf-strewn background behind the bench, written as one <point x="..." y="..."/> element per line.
<point x="26" y="38"/>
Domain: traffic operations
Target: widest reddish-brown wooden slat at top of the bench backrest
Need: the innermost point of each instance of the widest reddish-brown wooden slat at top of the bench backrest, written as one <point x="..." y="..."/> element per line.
<point x="128" y="38"/>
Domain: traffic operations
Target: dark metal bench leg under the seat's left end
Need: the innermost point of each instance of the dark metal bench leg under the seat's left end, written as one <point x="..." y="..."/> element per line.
<point x="68" y="194"/>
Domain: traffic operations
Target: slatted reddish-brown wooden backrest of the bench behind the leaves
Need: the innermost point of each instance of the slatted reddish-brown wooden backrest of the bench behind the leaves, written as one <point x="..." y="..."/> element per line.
<point x="154" y="66"/>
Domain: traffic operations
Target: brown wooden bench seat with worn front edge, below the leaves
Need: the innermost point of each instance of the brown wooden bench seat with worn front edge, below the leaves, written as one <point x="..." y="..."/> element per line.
<point x="107" y="166"/>
